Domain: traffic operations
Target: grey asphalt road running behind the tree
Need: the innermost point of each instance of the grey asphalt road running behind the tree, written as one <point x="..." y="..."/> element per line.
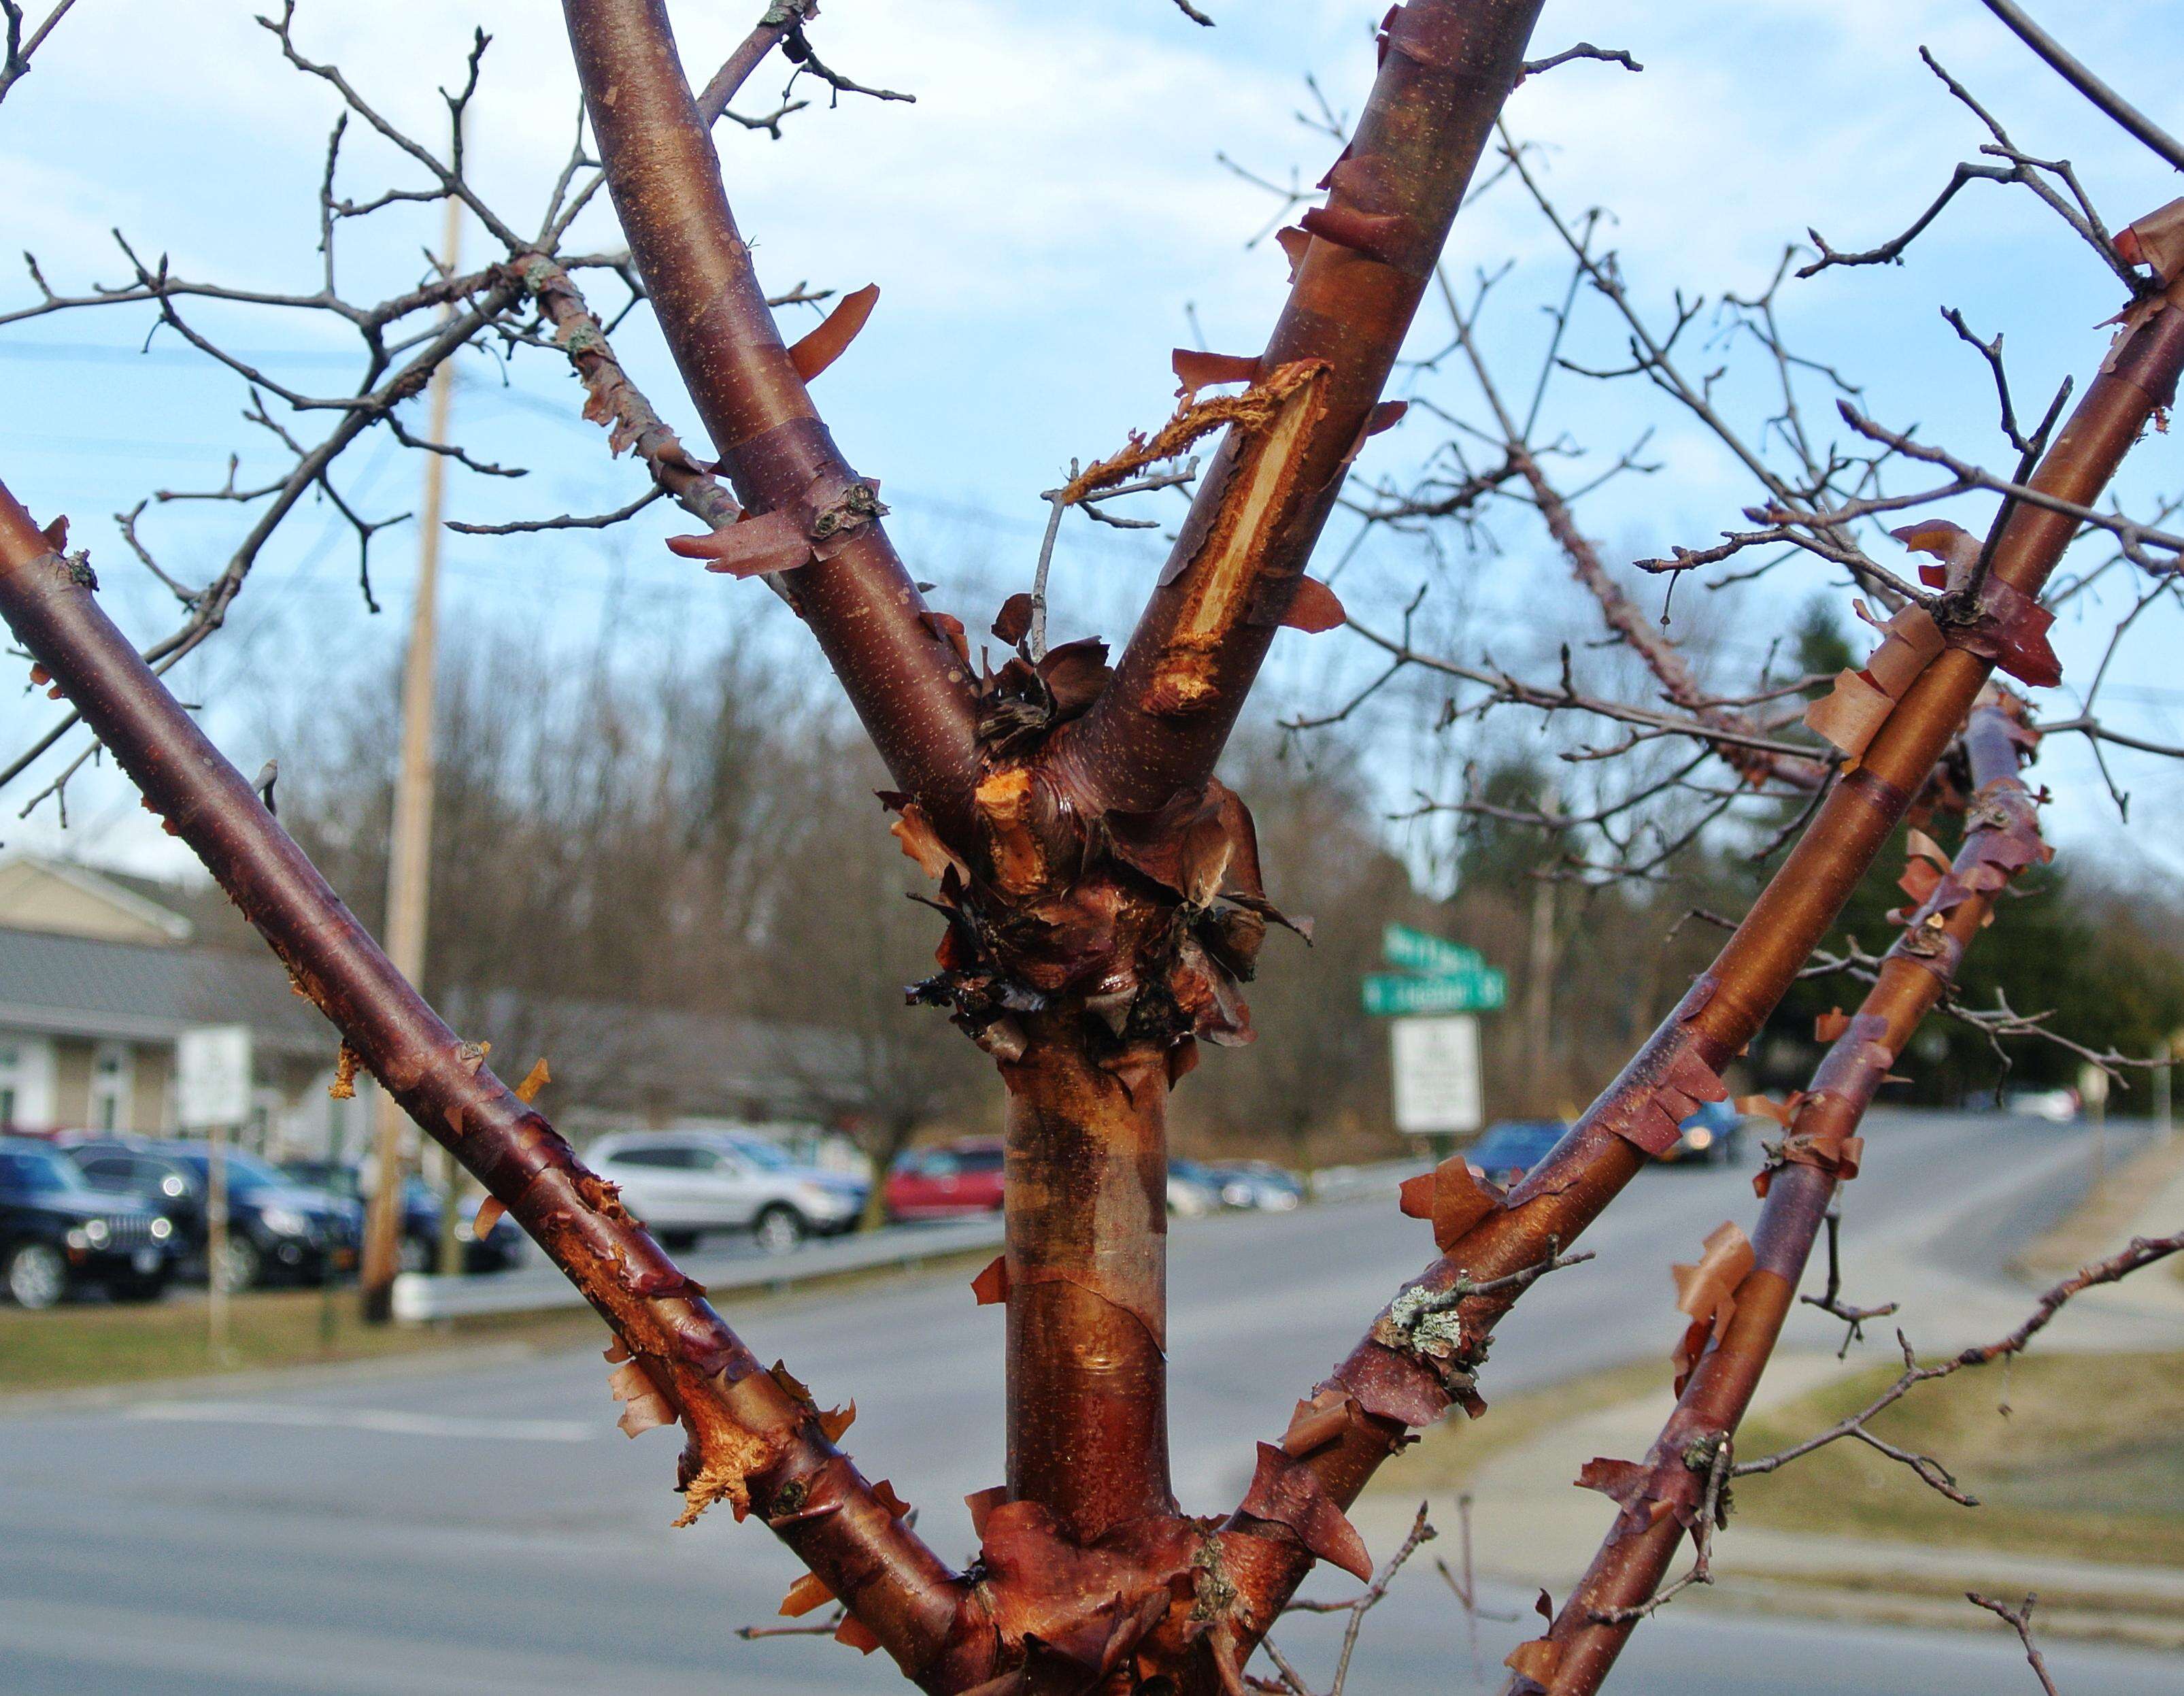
<point x="479" y="1527"/>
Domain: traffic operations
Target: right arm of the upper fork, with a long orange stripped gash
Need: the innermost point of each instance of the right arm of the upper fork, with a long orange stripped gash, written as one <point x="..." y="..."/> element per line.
<point x="1261" y="506"/>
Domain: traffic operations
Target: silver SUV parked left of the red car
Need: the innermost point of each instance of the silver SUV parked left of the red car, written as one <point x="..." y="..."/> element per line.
<point x="685" y="1183"/>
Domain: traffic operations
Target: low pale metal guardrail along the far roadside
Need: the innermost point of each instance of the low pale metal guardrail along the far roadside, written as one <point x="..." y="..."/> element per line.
<point x="423" y="1297"/>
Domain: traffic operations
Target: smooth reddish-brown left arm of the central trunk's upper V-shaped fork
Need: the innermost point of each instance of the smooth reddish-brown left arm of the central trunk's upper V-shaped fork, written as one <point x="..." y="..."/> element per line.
<point x="905" y="681"/>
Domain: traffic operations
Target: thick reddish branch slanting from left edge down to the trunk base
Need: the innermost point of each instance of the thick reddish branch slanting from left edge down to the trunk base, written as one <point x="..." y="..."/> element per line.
<point x="750" y="1439"/>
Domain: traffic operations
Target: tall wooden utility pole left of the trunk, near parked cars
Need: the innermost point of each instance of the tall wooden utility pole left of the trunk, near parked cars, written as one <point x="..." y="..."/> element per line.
<point x="409" y="871"/>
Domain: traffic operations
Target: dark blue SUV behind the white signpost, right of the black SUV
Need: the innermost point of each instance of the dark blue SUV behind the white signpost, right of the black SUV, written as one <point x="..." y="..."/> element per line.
<point x="276" y="1227"/>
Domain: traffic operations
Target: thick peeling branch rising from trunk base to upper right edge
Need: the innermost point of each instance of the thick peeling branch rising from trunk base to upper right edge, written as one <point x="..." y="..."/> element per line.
<point x="1399" y="1382"/>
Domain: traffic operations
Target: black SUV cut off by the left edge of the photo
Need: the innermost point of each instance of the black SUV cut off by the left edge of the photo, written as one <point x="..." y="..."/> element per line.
<point x="56" y="1234"/>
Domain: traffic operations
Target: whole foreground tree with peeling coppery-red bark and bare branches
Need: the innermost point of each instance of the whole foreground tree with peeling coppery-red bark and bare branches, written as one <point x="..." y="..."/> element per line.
<point x="1104" y="895"/>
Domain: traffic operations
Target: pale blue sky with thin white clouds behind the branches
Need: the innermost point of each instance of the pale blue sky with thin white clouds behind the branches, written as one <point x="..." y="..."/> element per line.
<point x="1041" y="224"/>
